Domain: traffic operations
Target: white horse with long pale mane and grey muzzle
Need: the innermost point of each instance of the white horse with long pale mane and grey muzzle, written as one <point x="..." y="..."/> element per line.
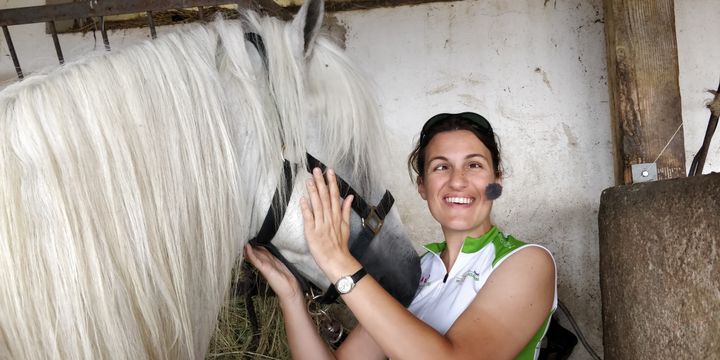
<point x="130" y="182"/>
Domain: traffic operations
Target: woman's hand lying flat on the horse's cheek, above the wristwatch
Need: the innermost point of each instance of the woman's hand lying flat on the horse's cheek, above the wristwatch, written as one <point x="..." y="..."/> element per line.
<point x="327" y="225"/>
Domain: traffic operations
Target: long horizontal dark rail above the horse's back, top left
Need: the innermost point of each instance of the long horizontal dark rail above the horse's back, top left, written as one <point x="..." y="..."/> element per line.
<point x="83" y="9"/>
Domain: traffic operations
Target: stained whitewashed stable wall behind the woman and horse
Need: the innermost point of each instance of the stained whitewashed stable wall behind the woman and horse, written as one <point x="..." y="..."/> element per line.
<point x="535" y="69"/>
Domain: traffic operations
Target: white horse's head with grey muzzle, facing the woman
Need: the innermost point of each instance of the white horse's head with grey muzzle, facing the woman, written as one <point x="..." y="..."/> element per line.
<point x="317" y="103"/>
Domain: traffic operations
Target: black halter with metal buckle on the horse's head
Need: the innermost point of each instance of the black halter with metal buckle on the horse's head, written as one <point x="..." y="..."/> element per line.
<point x="372" y="218"/>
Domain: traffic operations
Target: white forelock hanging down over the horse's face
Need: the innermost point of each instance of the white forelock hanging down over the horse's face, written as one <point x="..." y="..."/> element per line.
<point x="324" y="92"/>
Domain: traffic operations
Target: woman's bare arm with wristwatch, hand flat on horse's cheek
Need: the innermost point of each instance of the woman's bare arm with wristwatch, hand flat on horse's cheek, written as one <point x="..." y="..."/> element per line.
<point x="500" y="321"/>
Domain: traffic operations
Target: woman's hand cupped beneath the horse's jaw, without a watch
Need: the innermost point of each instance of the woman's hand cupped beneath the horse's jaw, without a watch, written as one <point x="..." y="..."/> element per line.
<point x="280" y="279"/>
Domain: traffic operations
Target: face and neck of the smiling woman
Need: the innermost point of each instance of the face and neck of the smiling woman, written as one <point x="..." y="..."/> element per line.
<point x="458" y="168"/>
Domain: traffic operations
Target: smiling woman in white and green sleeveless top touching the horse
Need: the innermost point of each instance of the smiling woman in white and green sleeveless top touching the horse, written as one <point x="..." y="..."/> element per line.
<point x="495" y="300"/>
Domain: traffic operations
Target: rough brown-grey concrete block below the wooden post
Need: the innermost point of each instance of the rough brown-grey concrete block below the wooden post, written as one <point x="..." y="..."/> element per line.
<point x="660" y="269"/>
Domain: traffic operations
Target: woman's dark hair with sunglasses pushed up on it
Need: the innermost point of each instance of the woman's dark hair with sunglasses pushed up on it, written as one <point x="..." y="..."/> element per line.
<point x="473" y="122"/>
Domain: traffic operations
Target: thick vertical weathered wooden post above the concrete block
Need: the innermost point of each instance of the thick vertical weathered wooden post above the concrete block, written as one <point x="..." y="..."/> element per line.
<point x="644" y="88"/>
